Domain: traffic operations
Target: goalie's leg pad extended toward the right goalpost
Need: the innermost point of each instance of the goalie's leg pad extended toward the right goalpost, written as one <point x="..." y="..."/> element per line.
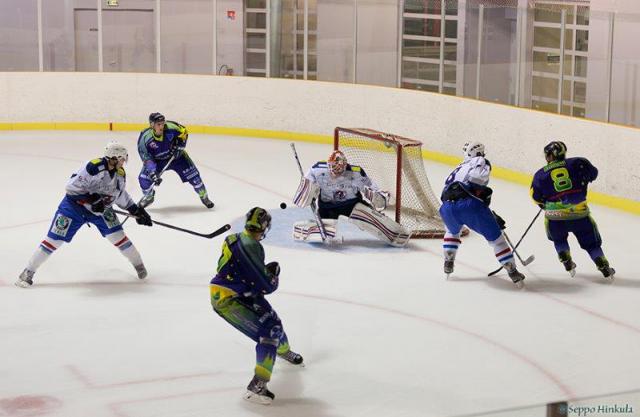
<point x="379" y="225"/>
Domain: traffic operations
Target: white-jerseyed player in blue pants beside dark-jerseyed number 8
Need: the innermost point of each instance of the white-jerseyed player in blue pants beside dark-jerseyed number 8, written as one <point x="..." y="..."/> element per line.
<point x="465" y="201"/>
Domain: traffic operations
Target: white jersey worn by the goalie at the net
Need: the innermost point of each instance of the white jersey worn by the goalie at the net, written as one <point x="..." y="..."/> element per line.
<point x="341" y="188"/>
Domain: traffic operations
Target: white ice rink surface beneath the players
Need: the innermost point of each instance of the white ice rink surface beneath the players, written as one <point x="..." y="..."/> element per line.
<point x="381" y="330"/>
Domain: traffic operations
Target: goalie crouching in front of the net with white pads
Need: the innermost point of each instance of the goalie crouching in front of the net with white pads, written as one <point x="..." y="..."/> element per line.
<point x="341" y="189"/>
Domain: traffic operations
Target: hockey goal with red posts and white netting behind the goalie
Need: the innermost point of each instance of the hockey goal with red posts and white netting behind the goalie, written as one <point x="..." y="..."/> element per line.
<point x="395" y="164"/>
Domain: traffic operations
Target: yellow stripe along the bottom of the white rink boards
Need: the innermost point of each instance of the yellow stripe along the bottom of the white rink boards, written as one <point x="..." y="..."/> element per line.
<point x="624" y="204"/>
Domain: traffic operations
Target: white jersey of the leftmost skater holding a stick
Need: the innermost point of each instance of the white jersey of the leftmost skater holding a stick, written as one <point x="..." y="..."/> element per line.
<point x="95" y="178"/>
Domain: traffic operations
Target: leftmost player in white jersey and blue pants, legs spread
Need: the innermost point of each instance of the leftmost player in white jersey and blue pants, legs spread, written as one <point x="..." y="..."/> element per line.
<point x="90" y="193"/>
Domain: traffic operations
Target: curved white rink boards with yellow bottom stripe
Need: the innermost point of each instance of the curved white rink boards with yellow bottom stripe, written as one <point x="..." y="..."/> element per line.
<point x="309" y="110"/>
